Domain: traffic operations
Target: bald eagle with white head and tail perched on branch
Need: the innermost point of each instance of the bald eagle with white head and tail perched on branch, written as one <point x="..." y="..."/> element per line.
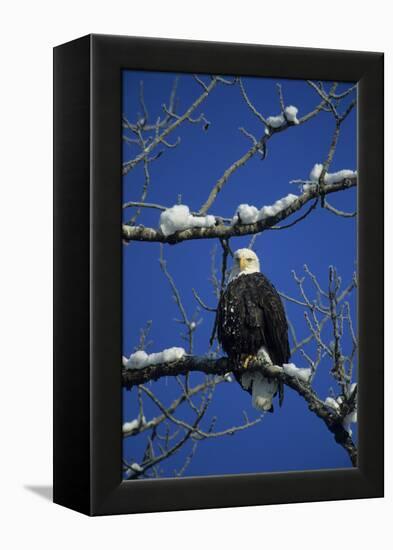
<point x="251" y="322"/>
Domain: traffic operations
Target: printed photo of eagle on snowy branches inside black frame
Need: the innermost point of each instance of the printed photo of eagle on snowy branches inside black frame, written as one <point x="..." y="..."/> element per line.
<point x="239" y="275"/>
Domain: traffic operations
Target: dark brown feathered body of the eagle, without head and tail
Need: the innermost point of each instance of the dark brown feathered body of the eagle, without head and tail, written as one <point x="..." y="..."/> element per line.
<point x="251" y="315"/>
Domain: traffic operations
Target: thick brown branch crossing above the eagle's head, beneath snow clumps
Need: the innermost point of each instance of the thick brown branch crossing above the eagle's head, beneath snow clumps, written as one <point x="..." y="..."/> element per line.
<point x="223" y="231"/>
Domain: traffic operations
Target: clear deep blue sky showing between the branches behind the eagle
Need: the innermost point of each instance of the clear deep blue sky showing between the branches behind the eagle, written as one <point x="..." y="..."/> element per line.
<point x="292" y="438"/>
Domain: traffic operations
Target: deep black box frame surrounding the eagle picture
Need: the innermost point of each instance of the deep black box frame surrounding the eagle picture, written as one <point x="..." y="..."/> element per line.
<point x="88" y="275"/>
